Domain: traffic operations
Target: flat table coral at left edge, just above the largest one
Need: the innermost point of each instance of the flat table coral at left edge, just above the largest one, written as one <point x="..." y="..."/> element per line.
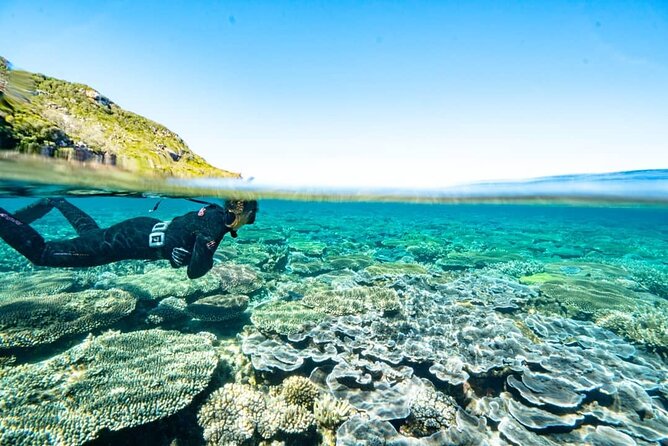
<point x="33" y="320"/>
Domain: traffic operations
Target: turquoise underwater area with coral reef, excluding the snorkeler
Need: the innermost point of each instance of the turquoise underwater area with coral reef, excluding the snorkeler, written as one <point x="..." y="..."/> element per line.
<point x="347" y="323"/>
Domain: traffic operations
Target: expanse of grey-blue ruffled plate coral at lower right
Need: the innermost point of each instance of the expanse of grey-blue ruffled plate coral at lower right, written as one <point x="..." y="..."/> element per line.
<point x="553" y="376"/>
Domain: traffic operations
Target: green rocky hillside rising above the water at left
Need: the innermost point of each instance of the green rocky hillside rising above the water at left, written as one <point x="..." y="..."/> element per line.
<point x="74" y="122"/>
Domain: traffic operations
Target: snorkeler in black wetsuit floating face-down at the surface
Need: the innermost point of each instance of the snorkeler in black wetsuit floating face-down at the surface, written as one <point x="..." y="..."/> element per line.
<point x="189" y="240"/>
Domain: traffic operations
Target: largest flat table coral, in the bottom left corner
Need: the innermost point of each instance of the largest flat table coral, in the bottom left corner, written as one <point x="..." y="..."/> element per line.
<point x="113" y="381"/>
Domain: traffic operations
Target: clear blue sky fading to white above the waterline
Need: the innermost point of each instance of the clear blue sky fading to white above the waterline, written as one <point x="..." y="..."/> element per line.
<point x="372" y="93"/>
